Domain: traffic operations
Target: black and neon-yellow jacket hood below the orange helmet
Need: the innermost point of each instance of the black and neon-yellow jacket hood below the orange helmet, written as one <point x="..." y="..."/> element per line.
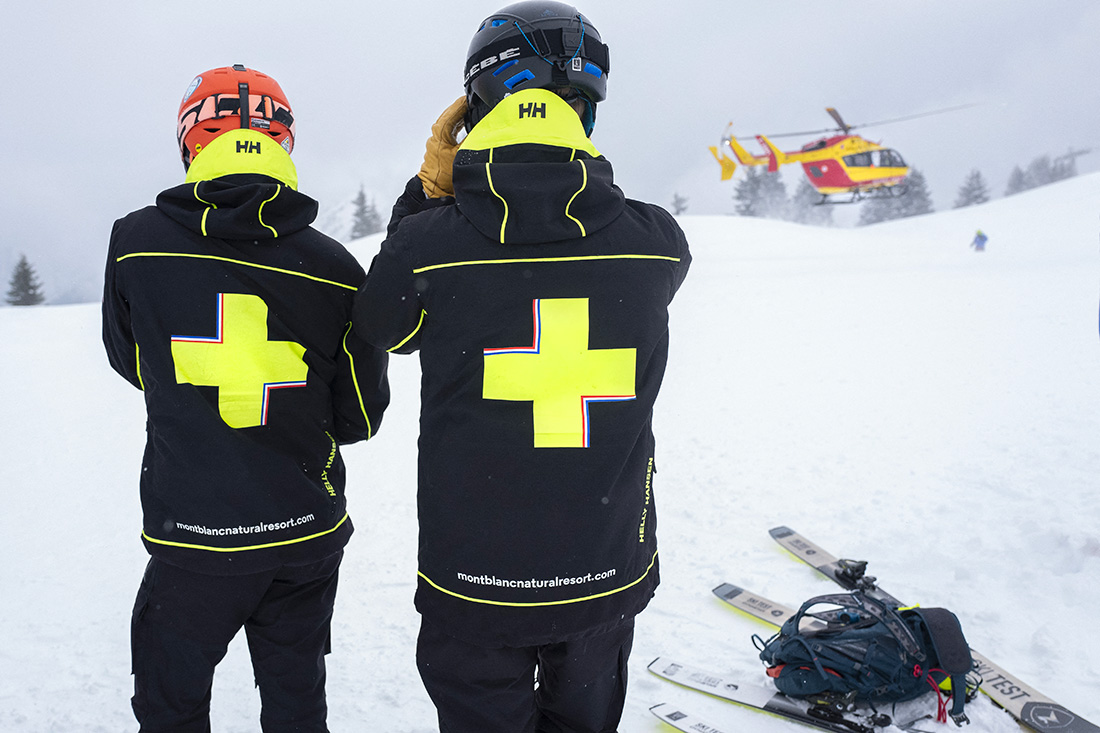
<point x="241" y="187"/>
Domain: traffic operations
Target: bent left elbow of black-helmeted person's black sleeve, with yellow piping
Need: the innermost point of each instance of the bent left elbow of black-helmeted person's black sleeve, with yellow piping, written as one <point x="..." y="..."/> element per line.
<point x="389" y="312"/>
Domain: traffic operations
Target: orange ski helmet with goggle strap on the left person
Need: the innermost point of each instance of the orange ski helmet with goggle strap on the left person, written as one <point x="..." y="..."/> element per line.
<point x="213" y="106"/>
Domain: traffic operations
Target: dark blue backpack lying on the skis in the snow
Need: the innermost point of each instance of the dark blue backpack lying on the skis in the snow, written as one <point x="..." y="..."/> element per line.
<point x="860" y="649"/>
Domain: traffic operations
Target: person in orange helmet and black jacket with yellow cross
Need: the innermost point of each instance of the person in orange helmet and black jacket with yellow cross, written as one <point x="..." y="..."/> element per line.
<point x="234" y="316"/>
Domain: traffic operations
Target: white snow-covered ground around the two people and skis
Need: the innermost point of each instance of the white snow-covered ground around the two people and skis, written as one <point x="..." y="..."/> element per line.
<point x="890" y="393"/>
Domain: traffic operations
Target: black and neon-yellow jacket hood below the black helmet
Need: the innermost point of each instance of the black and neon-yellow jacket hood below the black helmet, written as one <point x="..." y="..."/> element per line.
<point x="529" y="174"/>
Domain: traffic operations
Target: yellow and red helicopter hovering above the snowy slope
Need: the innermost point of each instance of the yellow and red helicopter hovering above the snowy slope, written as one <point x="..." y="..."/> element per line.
<point x="839" y="163"/>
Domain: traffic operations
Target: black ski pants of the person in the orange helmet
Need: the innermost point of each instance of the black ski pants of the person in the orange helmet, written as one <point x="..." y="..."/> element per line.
<point x="183" y="623"/>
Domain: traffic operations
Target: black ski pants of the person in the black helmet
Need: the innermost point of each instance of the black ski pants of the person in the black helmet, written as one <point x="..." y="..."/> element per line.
<point x="569" y="687"/>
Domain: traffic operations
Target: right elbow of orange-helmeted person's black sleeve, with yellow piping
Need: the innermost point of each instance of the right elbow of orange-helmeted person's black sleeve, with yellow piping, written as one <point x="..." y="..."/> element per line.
<point x="361" y="389"/>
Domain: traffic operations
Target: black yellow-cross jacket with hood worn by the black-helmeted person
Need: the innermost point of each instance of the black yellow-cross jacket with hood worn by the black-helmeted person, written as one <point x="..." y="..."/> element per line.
<point x="538" y="301"/>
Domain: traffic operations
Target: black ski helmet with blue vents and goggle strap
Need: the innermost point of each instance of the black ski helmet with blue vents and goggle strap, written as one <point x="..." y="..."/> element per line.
<point x="536" y="45"/>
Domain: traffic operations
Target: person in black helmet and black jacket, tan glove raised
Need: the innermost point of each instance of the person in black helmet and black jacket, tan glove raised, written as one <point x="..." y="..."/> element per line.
<point x="537" y="296"/>
